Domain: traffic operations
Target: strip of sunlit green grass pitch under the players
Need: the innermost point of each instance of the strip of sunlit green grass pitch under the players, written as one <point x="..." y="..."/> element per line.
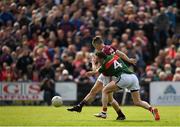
<point x="51" y="116"/>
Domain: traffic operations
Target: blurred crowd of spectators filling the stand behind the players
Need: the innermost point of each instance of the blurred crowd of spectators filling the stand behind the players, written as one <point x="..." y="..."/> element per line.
<point x="51" y="39"/>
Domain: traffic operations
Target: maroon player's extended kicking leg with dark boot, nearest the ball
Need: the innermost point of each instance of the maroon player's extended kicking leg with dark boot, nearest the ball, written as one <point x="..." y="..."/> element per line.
<point x="89" y="97"/>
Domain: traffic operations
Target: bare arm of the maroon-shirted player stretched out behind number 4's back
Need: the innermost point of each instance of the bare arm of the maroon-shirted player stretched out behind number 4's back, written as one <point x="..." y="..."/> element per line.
<point x="126" y="58"/>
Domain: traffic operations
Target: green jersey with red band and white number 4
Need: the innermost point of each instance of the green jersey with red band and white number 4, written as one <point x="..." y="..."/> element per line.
<point x="114" y="66"/>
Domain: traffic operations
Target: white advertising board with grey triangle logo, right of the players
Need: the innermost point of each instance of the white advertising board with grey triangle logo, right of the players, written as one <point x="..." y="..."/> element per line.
<point x="165" y="93"/>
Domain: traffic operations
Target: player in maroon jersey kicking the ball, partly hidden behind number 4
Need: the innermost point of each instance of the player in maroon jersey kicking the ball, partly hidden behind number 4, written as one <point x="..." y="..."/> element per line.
<point x="102" y="80"/>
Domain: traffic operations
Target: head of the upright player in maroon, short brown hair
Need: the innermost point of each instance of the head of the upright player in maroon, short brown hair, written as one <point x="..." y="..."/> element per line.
<point x="98" y="43"/>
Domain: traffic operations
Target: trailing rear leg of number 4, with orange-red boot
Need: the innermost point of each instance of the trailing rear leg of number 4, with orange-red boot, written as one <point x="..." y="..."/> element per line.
<point x="138" y="102"/>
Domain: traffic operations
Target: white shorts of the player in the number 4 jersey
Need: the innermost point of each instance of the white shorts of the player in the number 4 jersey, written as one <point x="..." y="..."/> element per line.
<point x="129" y="81"/>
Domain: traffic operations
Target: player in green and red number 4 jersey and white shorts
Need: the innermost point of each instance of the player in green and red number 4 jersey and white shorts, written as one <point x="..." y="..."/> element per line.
<point x="112" y="65"/>
